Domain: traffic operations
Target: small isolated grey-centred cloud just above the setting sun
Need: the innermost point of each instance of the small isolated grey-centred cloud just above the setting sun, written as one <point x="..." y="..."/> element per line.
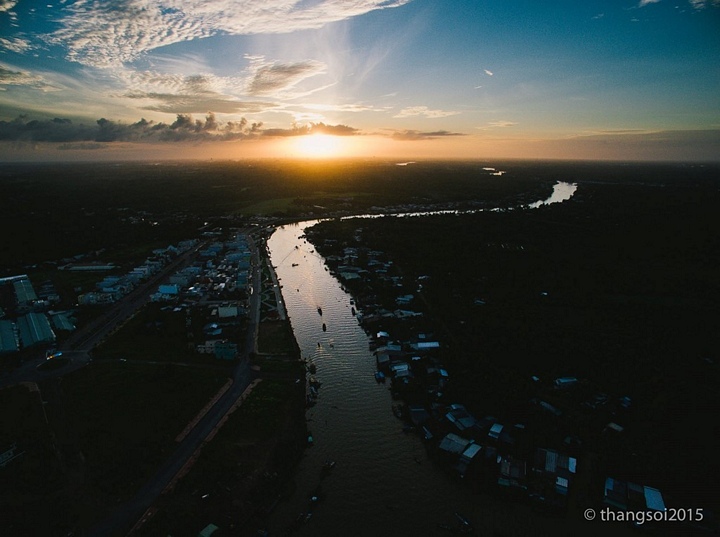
<point x="268" y="78"/>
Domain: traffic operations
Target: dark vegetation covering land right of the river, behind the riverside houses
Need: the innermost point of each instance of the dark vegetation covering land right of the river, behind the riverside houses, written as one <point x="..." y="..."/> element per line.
<point x="616" y="287"/>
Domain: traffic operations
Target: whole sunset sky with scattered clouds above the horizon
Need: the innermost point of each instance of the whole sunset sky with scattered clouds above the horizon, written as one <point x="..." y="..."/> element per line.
<point x="479" y="79"/>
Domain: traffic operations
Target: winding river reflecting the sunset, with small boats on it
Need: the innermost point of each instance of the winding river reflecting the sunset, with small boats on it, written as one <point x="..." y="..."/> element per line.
<point x="383" y="482"/>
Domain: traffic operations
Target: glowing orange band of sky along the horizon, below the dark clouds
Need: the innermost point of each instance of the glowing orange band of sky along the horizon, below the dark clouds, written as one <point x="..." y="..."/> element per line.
<point x="624" y="147"/>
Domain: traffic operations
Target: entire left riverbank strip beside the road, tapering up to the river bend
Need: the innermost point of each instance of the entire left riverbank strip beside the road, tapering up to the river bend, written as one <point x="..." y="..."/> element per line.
<point x="246" y="465"/>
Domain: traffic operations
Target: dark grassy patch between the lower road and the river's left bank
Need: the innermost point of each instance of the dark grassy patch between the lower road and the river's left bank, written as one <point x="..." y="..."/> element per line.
<point x="241" y="472"/>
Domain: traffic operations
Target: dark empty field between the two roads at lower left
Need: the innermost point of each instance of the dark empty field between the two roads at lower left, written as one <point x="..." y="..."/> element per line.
<point x="118" y="421"/>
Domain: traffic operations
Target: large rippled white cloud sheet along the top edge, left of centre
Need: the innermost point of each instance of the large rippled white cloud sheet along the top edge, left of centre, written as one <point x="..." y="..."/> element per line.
<point x="110" y="34"/>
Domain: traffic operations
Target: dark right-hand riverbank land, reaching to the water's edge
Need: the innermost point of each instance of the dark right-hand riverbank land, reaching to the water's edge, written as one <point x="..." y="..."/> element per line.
<point x="521" y="299"/>
